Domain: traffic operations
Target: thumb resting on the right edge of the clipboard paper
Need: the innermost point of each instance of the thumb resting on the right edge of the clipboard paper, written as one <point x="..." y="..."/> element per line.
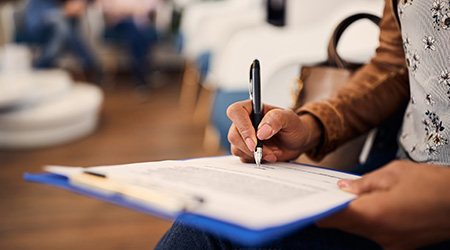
<point x="379" y="180"/>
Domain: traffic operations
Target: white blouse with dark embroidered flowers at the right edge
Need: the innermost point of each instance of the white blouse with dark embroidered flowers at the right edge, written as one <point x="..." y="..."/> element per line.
<point x="425" y="135"/>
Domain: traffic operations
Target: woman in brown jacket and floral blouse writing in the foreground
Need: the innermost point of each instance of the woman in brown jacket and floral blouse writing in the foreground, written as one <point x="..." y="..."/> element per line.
<point x="403" y="205"/>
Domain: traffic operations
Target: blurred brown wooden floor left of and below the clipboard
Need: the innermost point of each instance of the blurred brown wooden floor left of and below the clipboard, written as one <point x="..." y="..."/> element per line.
<point x="35" y="216"/>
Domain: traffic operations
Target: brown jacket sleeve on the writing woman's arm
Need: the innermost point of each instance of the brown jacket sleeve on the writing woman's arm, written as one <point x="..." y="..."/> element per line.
<point x="373" y="94"/>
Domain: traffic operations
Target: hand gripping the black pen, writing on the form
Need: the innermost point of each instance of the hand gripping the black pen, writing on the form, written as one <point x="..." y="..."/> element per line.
<point x="285" y="134"/>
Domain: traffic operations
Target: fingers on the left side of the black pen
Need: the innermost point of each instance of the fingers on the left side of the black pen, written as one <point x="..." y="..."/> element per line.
<point x="239" y="114"/>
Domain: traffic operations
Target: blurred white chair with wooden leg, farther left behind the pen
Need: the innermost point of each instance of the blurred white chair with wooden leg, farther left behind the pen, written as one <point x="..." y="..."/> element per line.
<point x="205" y="27"/>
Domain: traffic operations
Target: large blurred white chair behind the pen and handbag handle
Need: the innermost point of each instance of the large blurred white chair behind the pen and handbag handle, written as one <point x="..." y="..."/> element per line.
<point x="302" y="42"/>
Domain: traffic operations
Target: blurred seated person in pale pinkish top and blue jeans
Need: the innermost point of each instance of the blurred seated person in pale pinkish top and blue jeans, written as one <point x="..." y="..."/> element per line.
<point x="128" y="23"/>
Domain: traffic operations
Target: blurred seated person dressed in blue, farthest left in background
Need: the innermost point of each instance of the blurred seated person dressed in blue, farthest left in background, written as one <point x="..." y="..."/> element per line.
<point x="53" y="25"/>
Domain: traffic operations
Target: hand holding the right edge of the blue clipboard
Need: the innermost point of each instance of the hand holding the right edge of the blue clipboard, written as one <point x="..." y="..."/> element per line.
<point x="404" y="205"/>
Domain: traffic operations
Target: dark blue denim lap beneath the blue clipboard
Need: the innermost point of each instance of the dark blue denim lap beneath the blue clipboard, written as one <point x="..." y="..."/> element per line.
<point x="312" y="238"/>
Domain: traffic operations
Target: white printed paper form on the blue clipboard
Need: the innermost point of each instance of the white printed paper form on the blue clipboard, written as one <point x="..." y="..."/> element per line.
<point x="240" y="193"/>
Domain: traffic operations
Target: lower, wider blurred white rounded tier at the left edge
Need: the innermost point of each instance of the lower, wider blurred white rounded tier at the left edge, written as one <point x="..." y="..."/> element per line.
<point x="56" y="120"/>
